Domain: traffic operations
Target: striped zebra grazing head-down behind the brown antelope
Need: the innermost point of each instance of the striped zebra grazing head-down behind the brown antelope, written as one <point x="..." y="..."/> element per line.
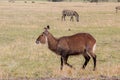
<point x="70" y="13"/>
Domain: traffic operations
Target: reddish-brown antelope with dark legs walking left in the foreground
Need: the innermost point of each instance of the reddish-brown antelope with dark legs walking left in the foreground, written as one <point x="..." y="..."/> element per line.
<point x="80" y="43"/>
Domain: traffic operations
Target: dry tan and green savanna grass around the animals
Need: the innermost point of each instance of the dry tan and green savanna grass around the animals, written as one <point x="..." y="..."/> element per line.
<point x="21" y="23"/>
